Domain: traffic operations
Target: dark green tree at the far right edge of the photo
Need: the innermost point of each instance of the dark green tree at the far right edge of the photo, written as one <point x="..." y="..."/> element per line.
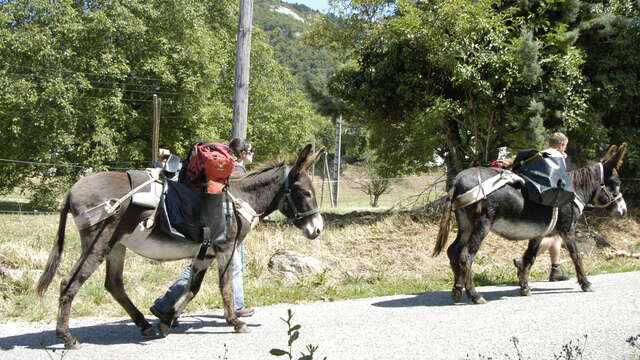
<point x="609" y="33"/>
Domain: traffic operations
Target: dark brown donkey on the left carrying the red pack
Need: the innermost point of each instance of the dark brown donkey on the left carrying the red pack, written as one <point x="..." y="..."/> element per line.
<point x="283" y="186"/>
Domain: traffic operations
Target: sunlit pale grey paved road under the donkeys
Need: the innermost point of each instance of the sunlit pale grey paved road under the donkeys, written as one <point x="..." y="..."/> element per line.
<point x="417" y="326"/>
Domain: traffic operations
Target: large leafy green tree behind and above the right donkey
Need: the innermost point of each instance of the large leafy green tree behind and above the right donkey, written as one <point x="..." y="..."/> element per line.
<point x="456" y="79"/>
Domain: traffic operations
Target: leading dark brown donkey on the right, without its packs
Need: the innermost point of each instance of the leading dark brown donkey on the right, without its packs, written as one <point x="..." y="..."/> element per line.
<point x="507" y="213"/>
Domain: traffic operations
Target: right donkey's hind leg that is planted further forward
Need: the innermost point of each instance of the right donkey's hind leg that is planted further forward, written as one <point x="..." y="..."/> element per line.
<point x="481" y="227"/>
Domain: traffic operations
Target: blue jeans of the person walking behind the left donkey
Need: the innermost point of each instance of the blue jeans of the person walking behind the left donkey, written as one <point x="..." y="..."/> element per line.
<point x="166" y="302"/>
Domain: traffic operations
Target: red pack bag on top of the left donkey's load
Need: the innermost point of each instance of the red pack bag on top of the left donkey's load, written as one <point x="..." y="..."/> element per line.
<point x="209" y="168"/>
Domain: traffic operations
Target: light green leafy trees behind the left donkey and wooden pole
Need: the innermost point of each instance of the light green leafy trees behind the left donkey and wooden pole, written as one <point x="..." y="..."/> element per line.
<point x="78" y="77"/>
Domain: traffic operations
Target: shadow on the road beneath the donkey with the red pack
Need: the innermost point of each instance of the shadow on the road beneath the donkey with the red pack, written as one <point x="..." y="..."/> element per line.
<point x="116" y="332"/>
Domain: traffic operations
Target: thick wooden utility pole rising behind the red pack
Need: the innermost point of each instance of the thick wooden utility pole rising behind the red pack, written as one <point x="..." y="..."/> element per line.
<point x="243" y="55"/>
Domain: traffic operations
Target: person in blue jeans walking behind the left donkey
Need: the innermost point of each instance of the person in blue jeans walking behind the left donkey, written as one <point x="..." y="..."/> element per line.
<point x="243" y="154"/>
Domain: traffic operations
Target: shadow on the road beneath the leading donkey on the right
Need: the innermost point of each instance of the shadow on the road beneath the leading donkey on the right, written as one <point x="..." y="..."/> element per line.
<point x="443" y="298"/>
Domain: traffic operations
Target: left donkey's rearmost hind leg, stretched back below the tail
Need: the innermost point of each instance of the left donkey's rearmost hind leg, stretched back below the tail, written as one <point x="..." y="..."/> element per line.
<point x="89" y="261"/>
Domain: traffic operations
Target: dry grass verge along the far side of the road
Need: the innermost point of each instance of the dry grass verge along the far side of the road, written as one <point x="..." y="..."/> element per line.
<point x="368" y="254"/>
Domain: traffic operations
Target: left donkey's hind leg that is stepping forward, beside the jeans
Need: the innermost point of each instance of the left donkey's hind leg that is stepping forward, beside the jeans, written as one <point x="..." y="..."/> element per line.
<point x="115" y="285"/>
